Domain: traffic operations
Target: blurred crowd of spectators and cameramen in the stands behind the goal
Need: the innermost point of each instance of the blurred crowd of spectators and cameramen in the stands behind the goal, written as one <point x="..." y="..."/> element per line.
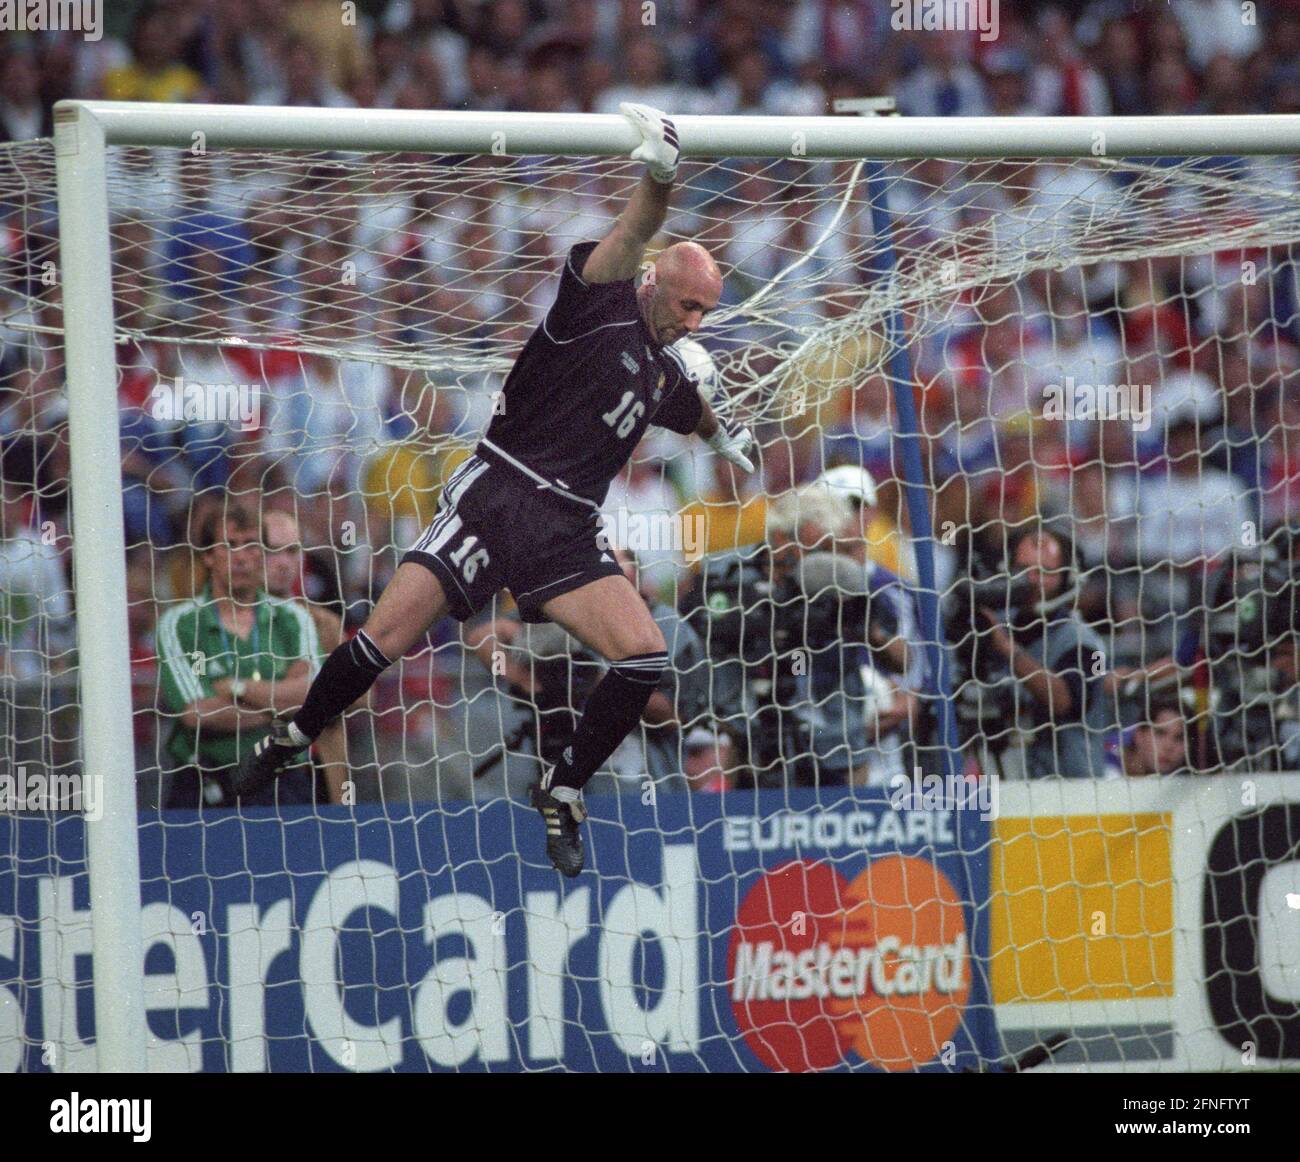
<point x="1072" y="539"/>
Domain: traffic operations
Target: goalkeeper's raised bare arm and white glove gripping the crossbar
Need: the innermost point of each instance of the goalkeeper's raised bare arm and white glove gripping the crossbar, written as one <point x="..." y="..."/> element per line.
<point x="619" y="254"/>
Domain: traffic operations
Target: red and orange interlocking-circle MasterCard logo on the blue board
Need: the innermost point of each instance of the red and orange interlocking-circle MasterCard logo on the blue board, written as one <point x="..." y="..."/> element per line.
<point x="824" y="970"/>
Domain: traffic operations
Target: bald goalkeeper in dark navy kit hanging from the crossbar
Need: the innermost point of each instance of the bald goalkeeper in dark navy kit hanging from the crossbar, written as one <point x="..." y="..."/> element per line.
<point x="523" y="513"/>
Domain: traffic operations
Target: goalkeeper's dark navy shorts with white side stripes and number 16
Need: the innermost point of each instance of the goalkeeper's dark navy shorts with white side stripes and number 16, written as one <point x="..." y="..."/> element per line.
<point x="496" y="528"/>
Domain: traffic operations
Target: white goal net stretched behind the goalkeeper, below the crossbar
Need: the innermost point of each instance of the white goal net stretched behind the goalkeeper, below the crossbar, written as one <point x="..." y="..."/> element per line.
<point x="1100" y="359"/>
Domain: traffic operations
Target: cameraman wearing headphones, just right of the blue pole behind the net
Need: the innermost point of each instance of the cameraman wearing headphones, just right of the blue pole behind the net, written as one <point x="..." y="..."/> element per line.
<point x="1033" y="674"/>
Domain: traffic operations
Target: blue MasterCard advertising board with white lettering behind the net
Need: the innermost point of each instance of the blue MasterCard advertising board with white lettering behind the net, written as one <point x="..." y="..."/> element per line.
<point x="748" y="931"/>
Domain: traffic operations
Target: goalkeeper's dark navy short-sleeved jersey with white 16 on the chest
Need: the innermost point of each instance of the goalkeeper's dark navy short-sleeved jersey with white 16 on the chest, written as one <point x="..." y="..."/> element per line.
<point x="586" y="388"/>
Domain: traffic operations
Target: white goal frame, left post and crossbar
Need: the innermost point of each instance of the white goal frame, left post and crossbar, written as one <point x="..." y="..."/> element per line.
<point x="84" y="131"/>
